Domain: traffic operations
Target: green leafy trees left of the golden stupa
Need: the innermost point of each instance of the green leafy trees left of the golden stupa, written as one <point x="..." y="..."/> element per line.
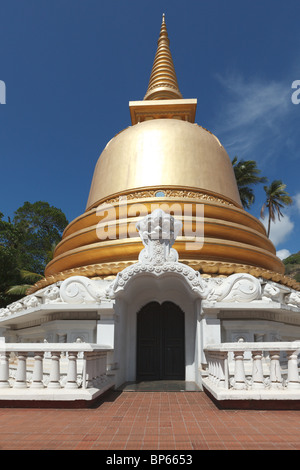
<point x="26" y="246"/>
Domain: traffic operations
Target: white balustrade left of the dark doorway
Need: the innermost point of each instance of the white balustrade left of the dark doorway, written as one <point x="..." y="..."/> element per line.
<point x="53" y="366"/>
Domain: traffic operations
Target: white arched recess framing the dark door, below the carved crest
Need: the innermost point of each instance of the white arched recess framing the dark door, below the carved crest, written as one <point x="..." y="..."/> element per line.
<point x="142" y="290"/>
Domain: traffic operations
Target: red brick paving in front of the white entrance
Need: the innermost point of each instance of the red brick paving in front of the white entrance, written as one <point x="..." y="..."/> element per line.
<point x="149" y="421"/>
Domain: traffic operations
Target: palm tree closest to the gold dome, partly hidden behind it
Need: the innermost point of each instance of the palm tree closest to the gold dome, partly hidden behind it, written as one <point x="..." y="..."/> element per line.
<point x="247" y="175"/>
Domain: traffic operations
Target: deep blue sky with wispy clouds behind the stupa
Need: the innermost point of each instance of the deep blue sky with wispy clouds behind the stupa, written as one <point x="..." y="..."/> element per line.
<point x="71" y="66"/>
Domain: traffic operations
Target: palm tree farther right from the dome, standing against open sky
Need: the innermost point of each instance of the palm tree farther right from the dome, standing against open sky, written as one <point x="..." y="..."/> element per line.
<point x="277" y="198"/>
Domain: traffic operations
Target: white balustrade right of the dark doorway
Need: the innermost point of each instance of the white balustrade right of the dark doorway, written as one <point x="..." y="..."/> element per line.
<point x="229" y="368"/>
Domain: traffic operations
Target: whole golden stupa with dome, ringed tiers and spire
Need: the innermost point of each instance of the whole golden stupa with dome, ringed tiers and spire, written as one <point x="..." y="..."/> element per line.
<point x="164" y="159"/>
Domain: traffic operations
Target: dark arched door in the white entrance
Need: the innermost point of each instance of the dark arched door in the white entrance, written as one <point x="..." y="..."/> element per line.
<point x="160" y="342"/>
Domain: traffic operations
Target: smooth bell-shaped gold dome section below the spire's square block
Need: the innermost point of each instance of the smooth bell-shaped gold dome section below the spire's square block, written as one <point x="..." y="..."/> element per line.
<point x="163" y="152"/>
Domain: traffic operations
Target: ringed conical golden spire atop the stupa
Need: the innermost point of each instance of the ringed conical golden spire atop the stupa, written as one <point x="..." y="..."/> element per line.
<point x="163" y="82"/>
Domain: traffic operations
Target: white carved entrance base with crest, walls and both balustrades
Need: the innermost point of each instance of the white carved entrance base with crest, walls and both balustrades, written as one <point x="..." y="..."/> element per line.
<point x="239" y="309"/>
